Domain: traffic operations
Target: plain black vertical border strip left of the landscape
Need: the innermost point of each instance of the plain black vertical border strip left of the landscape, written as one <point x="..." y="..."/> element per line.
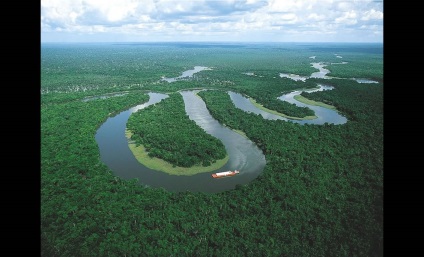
<point x="21" y="106"/>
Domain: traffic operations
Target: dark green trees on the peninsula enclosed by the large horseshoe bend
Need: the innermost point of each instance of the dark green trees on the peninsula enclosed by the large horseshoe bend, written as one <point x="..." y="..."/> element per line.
<point x="166" y="132"/>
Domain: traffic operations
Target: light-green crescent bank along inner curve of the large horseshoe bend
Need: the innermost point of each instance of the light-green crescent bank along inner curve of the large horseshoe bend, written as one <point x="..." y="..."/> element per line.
<point x="154" y="163"/>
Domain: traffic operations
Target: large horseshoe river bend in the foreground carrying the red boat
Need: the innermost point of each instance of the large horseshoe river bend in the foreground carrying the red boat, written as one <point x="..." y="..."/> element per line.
<point x="244" y="154"/>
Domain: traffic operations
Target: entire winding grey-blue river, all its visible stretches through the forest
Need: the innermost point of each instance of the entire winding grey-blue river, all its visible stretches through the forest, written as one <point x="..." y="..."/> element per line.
<point x="244" y="154"/>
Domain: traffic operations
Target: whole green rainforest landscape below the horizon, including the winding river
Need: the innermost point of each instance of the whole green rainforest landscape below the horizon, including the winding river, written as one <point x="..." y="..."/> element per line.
<point x="131" y="133"/>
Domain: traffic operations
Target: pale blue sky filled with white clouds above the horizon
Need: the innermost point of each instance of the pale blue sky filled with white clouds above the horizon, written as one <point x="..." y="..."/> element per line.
<point x="211" y="21"/>
